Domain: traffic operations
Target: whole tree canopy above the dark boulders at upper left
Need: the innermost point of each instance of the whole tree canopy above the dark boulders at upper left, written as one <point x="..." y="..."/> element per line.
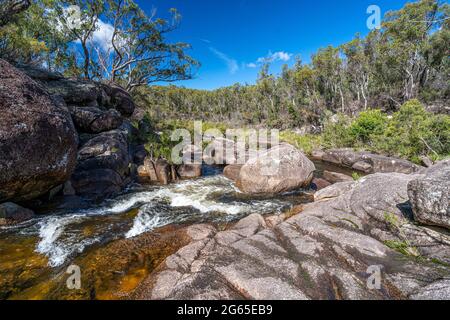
<point x="63" y="35"/>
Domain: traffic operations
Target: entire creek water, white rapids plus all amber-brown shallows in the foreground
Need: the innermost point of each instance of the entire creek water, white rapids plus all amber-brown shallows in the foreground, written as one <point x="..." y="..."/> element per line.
<point x="118" y="243"/>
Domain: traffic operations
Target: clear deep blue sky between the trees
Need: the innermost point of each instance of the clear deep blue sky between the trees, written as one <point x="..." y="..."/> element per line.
<point x="230" y="36"/>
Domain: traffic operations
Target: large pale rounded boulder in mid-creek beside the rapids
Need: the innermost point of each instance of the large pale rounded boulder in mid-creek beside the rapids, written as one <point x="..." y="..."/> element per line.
<point x="282" y="168"/>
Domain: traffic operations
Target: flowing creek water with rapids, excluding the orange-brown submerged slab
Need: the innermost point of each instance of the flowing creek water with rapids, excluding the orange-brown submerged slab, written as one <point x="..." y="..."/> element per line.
<point x="36" y="250"/>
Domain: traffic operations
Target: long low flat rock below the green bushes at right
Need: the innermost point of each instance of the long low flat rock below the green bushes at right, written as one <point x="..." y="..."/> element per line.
<point x="365" y="161"/>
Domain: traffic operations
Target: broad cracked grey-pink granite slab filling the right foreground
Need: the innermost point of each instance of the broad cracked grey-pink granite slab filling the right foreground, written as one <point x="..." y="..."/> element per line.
<point x="330" y="250"/>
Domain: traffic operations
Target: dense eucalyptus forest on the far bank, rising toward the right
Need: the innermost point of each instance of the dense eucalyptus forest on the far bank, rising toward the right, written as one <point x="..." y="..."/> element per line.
<point x="407" y="58"/>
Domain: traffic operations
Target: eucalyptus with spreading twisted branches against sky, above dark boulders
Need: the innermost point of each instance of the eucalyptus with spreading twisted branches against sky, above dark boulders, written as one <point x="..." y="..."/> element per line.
<point x="139" y="52"/>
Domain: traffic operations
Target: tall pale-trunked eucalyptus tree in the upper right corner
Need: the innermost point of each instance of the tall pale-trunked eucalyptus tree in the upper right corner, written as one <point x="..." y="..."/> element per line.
<point x="405" y="41"/>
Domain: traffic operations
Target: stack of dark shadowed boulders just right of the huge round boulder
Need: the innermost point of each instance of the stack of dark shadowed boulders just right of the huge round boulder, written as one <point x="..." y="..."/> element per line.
<point x="103" y="165"/>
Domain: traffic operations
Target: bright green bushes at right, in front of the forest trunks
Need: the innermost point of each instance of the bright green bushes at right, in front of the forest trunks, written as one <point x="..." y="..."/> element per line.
<point x="409" y="133"/>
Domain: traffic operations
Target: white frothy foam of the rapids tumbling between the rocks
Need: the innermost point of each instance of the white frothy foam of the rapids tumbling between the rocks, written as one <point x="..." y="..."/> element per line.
<point x="61" y="237"/>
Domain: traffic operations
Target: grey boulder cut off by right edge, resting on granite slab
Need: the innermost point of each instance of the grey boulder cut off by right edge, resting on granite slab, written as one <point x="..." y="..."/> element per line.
<point x="430" y="196"/>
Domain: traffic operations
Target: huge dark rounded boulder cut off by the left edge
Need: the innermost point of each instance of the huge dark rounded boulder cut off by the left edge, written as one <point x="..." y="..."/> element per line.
<point x="38" y="141"/>
